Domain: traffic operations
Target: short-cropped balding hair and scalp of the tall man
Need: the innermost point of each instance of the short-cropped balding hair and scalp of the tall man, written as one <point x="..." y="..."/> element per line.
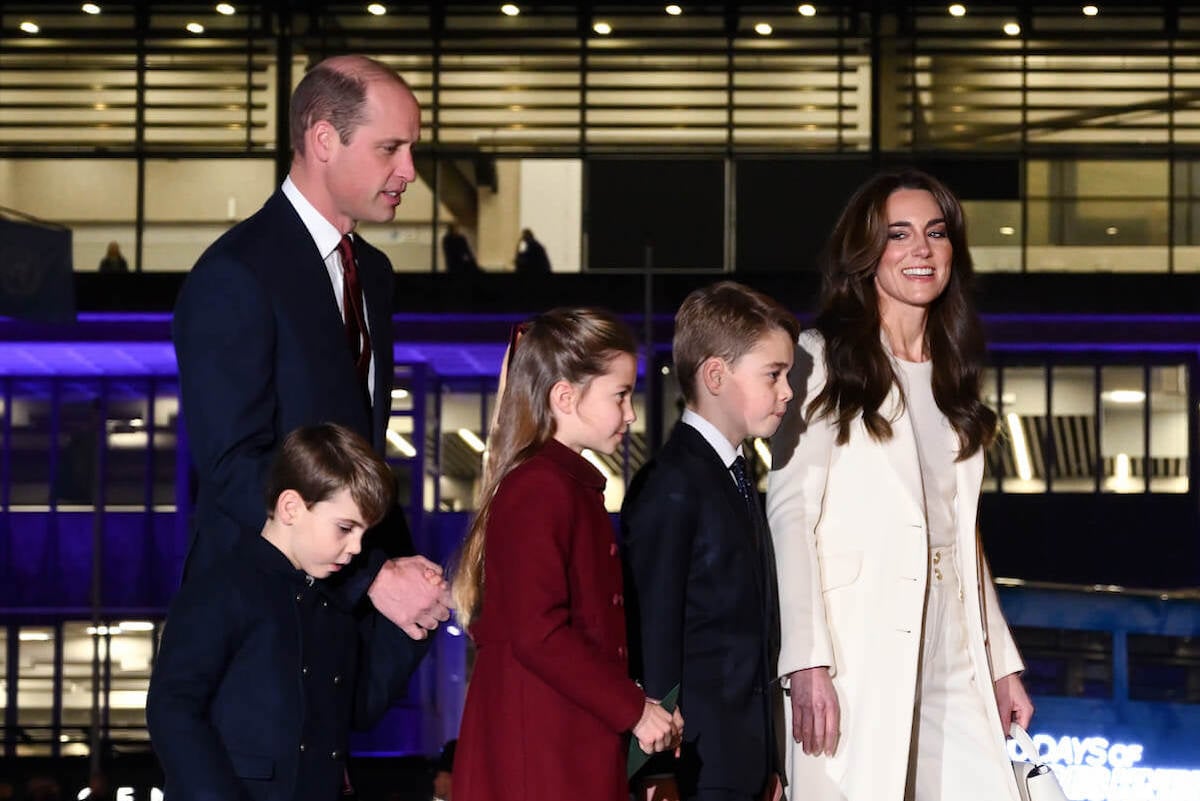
<point x="337" y="92"/>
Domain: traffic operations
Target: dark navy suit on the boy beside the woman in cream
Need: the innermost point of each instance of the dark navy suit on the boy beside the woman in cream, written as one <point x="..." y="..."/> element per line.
<point x="704" y="613"/>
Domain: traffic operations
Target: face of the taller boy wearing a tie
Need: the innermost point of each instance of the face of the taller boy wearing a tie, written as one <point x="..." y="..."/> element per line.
<point x="758" y="393"/>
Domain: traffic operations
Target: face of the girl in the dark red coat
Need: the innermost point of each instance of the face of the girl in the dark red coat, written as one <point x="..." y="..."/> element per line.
<point x="597" y="415"/>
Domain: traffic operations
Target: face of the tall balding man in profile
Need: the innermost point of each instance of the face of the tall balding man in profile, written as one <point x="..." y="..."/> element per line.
<point x="367" y="176"/>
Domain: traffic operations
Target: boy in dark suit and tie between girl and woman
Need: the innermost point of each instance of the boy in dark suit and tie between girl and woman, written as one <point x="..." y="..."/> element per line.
<point x="698" y="552"/>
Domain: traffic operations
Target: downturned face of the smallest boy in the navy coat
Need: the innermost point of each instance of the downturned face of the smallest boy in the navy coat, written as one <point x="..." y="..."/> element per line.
<point x="321" y="539"/>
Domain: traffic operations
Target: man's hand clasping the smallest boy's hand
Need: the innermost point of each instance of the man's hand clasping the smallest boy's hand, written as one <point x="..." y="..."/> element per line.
<point x="412" y="593"/>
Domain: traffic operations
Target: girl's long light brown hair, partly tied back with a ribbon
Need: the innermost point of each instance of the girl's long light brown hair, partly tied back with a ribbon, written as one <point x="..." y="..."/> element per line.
<point x="574" y="346"/>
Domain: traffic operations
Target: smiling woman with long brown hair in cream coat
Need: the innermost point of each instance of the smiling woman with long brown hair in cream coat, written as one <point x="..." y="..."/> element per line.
<point x="897" y="659"/>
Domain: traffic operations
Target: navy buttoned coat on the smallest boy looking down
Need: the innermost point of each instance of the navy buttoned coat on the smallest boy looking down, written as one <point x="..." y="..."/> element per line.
<point x="260" y="679"/>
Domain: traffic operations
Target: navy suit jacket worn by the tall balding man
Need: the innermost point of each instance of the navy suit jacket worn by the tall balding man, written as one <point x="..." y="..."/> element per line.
<point x="262" y="351"/>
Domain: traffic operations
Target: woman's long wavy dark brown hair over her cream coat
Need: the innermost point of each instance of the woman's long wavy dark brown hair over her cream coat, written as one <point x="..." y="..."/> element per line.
<point x="860" y="372"/>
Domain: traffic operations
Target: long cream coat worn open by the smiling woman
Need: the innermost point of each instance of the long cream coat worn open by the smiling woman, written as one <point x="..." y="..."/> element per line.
<point x="853" y="551"/>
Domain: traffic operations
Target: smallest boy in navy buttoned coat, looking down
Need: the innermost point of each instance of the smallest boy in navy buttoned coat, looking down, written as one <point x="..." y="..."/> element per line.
<point x="263" y="671"/>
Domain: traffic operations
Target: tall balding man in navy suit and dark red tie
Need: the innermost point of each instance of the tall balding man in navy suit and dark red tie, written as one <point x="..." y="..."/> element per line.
<point x="286" y="322"/>
